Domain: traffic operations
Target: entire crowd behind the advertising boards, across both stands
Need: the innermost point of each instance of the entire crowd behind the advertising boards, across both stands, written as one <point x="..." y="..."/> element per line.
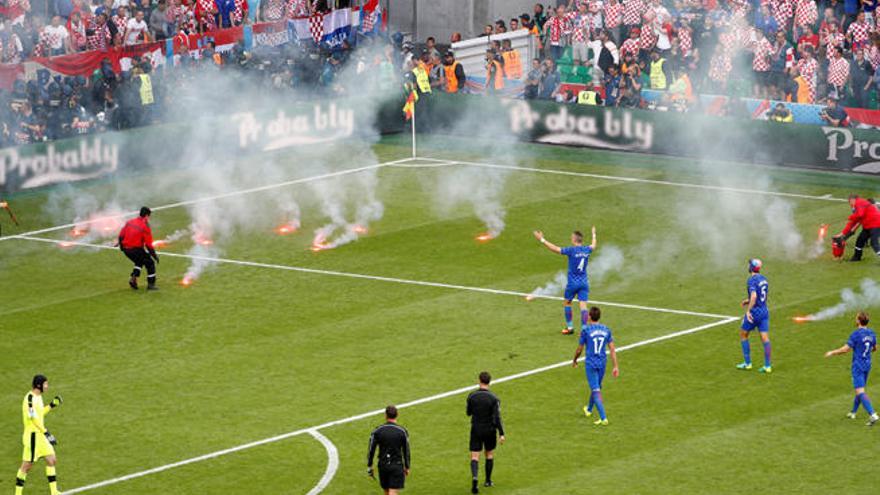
<point x="805" y="51"/>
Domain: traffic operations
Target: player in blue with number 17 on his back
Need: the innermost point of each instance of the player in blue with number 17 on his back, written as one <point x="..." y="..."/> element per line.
<point x="596" y="338"/>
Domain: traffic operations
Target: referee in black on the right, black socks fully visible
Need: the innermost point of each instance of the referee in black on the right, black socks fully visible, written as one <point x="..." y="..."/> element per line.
<point x="484" y="408"/>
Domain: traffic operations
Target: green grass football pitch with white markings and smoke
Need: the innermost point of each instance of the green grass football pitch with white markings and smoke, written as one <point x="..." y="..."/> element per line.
<point x="269" y="372"/>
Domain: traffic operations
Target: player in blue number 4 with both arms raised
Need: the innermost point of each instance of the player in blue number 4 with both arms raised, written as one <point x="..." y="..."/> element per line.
<point x="578" y="282"/>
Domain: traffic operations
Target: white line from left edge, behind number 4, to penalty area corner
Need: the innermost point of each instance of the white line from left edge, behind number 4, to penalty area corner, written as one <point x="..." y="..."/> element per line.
<point x="422" y="283"/>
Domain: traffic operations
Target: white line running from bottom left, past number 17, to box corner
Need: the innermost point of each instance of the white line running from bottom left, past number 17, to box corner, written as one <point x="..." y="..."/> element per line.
<point x="378" y="412"/>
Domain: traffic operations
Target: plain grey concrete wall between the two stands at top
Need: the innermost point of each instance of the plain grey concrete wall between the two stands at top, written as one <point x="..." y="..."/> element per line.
<point x="441" y="18"/>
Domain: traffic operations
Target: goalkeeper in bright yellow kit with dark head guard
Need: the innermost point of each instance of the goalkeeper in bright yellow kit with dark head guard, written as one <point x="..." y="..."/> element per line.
<point x="37" y="441"/>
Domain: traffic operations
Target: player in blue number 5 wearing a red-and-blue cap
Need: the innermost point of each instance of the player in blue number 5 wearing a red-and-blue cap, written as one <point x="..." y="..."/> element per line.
<point x="757" y="316"/>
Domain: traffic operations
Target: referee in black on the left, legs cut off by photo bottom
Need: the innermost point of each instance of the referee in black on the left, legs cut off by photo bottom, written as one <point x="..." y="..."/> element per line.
<point x="393" y="443"/>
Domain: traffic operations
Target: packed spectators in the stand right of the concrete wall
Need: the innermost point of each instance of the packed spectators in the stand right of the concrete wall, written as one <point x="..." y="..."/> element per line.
<point x="804" y="51"/>
